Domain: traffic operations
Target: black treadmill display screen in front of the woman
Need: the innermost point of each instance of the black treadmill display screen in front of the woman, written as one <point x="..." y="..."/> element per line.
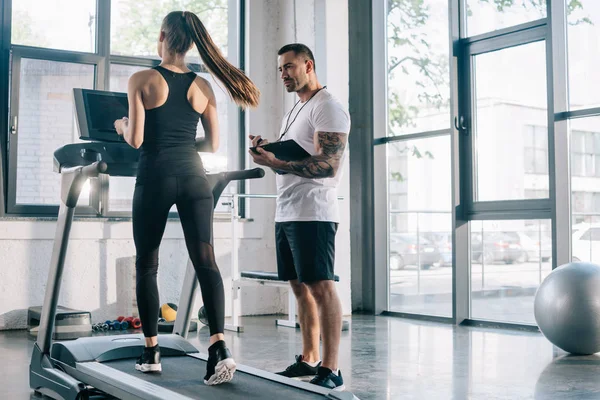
<point x="96" y="112"/>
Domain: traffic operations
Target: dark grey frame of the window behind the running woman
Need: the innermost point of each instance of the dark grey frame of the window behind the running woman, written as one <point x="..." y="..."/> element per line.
<point x="101" y="59"/>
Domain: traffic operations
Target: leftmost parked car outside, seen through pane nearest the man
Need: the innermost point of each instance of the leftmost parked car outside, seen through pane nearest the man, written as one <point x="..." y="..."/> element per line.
<point x="405" y="250"/>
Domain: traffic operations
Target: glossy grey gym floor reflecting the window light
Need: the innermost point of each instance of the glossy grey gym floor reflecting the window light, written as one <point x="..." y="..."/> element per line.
<point x="391" y="358"/>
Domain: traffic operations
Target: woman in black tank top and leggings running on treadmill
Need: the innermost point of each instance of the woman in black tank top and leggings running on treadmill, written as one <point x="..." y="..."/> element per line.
<point x="165" y="105"/>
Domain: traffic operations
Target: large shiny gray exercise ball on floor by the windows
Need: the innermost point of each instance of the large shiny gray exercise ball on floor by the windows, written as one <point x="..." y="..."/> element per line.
<point x="567" y="307"/>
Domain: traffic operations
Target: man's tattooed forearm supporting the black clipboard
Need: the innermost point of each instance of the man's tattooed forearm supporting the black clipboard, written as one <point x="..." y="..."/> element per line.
<point x="330" y="147"/>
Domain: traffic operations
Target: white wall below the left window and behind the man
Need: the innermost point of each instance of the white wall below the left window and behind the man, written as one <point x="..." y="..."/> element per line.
<point x="99" y="270"/>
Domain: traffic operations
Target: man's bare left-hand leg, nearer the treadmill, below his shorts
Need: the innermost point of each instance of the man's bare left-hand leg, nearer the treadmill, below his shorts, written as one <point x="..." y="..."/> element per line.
<point x="308" y="316"/>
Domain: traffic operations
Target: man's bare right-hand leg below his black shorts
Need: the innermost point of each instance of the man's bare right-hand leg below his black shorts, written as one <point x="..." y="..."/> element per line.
<point x="330" y="318"/>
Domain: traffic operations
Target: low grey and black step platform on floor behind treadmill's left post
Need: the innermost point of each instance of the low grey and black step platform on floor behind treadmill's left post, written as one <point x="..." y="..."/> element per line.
<point x="70" y="323"/>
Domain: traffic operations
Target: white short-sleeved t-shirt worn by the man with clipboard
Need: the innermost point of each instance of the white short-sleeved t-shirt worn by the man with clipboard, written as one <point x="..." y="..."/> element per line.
<point x="305" y="199"/>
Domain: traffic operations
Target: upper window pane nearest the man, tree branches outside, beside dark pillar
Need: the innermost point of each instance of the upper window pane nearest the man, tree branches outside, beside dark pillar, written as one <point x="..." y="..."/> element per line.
<point x="417" y="65"/>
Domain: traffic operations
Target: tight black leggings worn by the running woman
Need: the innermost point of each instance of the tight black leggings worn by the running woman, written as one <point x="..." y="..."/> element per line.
<point x="152" y="200"/>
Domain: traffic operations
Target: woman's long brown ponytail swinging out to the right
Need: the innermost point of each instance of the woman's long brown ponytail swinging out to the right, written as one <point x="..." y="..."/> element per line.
<point x="241" y="89"/>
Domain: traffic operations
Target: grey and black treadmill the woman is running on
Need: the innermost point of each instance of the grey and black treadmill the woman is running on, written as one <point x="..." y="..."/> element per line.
<point x="104" y="365"/>
